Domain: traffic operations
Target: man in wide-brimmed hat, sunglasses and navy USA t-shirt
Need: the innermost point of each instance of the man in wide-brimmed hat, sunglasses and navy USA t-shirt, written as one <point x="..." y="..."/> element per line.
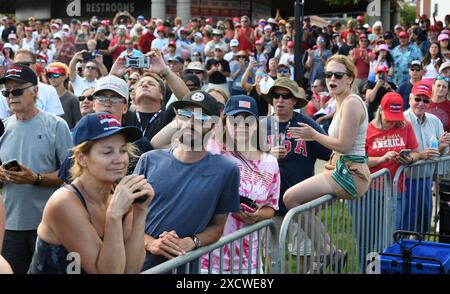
<point x="296" y="158"/>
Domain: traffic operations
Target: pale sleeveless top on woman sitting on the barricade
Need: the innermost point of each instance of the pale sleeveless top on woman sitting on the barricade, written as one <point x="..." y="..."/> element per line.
<point x="358" y="147"/>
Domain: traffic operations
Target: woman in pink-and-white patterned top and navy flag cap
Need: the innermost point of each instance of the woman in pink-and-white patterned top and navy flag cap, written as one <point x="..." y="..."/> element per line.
<point x="259" y="184"/>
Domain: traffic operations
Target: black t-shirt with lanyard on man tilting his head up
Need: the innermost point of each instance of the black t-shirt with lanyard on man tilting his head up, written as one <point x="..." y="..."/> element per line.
<point x="157" y="121"/>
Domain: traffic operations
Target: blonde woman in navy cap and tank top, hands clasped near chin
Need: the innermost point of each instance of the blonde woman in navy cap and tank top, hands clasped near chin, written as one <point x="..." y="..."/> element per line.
<point x="96" y="224"/>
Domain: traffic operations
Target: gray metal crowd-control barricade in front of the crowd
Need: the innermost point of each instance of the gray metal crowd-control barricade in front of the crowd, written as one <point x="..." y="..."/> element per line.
<point x="328" y="235"/>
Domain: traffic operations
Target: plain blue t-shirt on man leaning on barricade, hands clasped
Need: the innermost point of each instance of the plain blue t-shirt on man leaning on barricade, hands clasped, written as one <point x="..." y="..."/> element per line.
<point x="187" y="196"/>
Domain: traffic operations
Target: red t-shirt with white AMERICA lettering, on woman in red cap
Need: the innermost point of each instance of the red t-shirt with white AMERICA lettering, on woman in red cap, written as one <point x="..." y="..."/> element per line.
<point x="379" y="142"/>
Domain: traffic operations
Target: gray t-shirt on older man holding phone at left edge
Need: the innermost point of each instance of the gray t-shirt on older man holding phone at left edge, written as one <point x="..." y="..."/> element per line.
<point x="41" y="144"/>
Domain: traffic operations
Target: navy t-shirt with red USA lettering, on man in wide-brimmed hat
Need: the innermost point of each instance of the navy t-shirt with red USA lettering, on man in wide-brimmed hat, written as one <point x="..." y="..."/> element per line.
<point x="299" y="163"/>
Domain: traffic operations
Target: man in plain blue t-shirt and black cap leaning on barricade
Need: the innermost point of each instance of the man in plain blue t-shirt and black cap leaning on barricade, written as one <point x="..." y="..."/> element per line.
<point x="193" y="202"/>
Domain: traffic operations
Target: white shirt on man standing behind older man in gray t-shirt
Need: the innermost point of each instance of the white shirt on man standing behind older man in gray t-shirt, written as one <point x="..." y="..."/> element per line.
<point x="48" y="100"/>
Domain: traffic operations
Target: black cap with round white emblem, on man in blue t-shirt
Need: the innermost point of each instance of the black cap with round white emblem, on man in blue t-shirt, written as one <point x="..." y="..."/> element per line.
<point x="199" y="99"/>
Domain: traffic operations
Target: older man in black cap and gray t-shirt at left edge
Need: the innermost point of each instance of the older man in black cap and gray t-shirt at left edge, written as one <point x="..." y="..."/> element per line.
<point x="39" y="142"/>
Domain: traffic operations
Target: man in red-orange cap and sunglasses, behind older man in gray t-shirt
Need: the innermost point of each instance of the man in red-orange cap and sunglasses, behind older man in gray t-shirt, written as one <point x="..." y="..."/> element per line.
<point x="57" y="73"/>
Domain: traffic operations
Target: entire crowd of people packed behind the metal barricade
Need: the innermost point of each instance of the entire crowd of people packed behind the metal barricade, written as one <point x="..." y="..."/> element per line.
<point x="103" y="119"/>
